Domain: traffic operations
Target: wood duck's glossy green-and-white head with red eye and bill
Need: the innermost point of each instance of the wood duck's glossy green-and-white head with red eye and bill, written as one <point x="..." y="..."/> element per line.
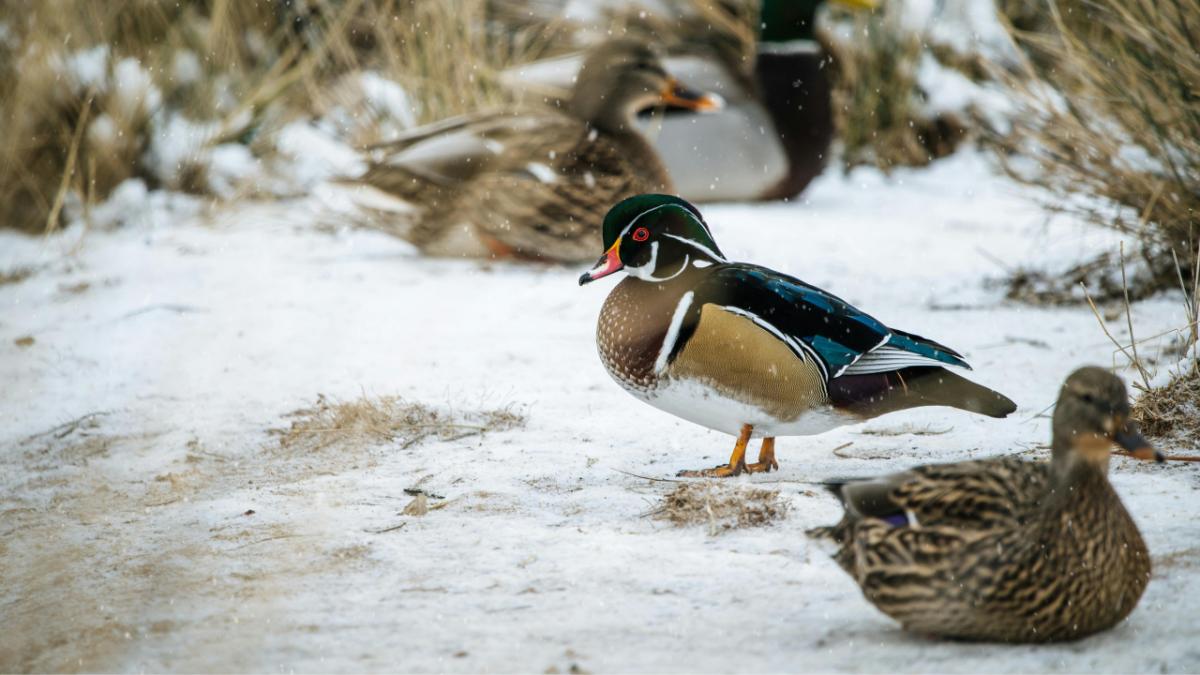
<point x="655" y="238"/>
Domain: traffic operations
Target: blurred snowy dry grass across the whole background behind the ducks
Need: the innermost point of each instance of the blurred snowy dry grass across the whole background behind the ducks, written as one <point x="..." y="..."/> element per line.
<point x="1100" y="98"/>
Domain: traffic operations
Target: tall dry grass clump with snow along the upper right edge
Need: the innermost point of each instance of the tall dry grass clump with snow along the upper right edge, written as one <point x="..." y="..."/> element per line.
<point x="1112" y="109"/>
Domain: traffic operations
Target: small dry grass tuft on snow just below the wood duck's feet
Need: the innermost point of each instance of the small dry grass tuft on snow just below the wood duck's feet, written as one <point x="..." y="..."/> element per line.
<point x="722" y="506"/>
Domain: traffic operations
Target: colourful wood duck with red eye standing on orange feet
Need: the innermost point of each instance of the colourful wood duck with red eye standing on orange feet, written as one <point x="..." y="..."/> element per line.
<point x="749" y="351"/>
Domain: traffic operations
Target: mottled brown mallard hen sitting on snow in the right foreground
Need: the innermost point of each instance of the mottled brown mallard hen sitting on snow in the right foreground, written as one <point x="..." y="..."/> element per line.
<point x="1004" y="549"/>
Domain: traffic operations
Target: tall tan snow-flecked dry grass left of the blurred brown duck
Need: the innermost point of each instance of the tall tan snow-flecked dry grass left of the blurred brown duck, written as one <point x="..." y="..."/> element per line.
<point x="93" y="94"/>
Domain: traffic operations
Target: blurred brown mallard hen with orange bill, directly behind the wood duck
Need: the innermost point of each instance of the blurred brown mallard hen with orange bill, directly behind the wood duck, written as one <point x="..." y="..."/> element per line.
<point x="531" y="183"/>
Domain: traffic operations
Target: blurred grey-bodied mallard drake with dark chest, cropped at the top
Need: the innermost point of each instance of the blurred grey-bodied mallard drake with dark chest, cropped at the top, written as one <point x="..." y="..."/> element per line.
<point x="773" y="136"/>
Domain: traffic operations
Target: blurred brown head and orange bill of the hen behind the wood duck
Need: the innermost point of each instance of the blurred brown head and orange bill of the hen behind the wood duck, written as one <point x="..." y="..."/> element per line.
<point x="622" y="77"/>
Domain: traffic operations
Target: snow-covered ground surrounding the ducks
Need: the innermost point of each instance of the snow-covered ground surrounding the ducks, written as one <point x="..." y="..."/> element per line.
<point x="134" y="440"/>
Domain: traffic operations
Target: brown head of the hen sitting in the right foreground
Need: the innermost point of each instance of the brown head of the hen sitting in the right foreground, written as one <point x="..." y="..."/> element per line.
<point x="1093" y="415"/>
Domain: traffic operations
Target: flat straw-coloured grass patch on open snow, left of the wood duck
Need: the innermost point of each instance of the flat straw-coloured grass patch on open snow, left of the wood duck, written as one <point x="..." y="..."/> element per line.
<point x="376" y="421"/>
